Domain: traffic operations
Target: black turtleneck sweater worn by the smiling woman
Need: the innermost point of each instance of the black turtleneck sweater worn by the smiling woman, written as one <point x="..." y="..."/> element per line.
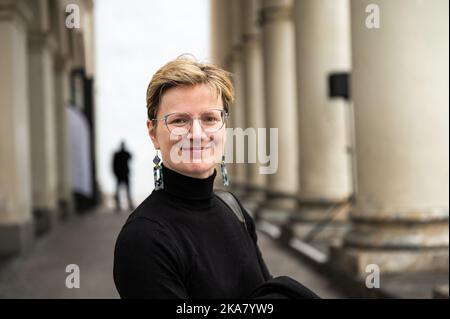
<point x="184" y="242"/>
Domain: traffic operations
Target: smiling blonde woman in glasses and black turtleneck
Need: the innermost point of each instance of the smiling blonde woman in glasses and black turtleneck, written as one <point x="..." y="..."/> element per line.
<point x="183" y="241"/>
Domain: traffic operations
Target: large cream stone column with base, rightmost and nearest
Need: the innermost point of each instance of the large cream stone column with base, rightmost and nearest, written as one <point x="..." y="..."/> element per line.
<point x="400" y="91"/>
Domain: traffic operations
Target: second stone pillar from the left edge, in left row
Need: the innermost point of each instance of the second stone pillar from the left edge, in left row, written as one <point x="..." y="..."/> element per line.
<point x="42" y="118"/>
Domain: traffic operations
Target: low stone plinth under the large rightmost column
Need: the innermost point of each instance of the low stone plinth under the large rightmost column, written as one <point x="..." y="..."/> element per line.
<point x="355" y="260"/>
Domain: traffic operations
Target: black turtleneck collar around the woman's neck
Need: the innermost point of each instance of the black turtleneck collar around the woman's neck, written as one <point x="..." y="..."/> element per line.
<point x="188" y="187"/>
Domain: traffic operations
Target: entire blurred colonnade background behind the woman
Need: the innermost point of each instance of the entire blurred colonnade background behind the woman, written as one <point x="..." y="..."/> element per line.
<point x="358" y="93"/>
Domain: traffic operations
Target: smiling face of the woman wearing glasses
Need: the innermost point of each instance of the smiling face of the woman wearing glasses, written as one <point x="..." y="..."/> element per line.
<point x="195" y="152"/>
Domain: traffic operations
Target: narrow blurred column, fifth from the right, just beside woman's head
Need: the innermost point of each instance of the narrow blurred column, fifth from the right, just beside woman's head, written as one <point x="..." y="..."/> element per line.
<point x="238" y="109"/>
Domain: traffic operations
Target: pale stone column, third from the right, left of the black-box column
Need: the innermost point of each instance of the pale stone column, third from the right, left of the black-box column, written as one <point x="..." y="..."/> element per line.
<point x="281" y="95"/>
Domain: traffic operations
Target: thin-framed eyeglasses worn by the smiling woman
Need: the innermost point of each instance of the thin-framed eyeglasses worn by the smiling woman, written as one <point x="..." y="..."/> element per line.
<point x="180" y="123"/>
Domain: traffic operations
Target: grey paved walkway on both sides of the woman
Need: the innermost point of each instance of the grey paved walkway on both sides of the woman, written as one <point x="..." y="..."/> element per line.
<point x="88" y="241"/>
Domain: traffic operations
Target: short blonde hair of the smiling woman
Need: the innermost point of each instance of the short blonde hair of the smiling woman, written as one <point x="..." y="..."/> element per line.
<point x="186" y="71"/>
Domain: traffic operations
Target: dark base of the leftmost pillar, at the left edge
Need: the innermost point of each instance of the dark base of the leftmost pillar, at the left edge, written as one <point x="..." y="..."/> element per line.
<point x="16" y="239"/>
